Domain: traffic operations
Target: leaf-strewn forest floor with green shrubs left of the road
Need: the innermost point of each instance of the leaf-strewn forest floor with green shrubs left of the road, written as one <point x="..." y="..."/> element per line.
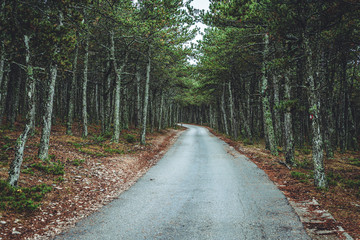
<point x="80" y="176"/>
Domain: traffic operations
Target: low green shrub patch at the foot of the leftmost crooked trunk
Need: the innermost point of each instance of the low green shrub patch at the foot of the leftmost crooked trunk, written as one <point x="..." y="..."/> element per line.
<point x="21" y="199"/>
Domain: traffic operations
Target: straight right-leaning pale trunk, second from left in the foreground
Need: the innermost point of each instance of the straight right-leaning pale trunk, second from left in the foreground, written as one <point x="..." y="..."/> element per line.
<point x="46" y="128"/>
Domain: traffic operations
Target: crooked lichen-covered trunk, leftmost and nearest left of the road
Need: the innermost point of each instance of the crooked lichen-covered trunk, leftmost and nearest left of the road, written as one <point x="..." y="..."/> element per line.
<point x="14" y="171"/>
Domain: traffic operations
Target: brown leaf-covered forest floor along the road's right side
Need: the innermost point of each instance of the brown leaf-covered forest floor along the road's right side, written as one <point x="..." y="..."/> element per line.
<point x="341" y="199"/>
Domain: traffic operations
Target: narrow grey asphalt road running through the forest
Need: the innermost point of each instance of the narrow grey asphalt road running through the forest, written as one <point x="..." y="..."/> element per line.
<point x="201" y="189"/>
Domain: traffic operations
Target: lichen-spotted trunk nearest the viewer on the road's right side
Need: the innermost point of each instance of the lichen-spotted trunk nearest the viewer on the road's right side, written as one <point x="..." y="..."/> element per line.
<point x="314" y="101"/>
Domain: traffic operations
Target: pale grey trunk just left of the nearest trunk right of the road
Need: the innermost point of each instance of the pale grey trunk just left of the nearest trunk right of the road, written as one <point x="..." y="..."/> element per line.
<point x="289" y="136"/>
